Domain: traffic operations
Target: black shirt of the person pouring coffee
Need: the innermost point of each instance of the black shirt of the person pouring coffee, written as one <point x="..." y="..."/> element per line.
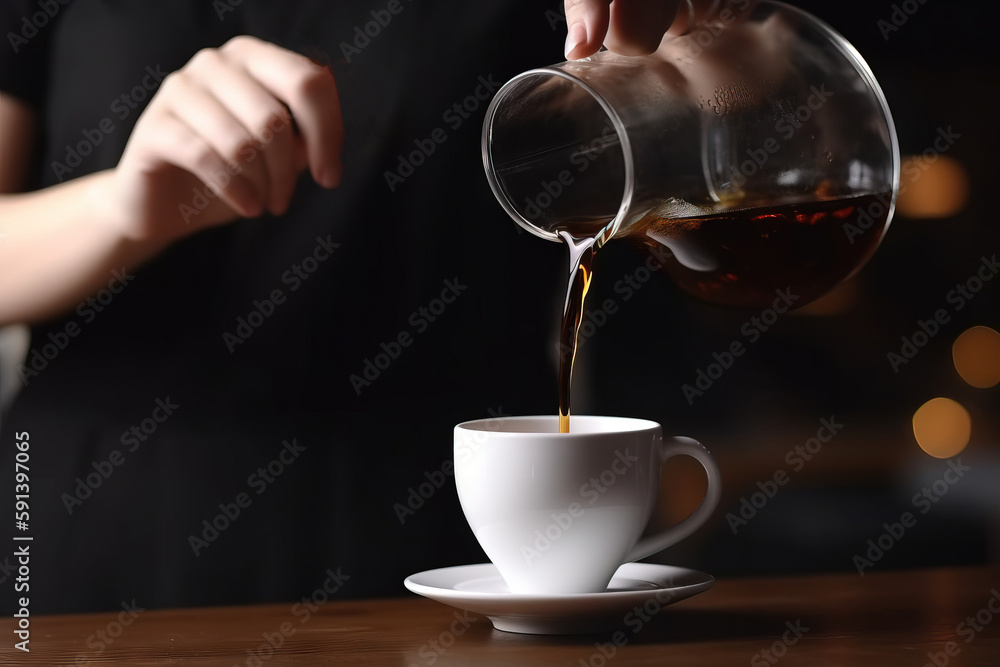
<point x="305" y="371"/>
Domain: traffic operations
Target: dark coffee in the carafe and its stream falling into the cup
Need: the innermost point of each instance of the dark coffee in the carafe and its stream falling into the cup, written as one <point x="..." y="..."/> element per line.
<point x="737" y="257"/>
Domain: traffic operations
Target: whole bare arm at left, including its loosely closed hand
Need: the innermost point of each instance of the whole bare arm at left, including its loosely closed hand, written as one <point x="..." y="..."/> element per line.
<point x="61" y="244"/>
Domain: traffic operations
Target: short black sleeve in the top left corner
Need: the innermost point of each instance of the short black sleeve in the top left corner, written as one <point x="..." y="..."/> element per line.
<point x="27" y="26"/>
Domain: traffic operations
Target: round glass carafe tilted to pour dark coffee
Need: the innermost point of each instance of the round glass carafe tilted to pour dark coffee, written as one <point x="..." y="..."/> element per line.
<point x="756" y="154"/>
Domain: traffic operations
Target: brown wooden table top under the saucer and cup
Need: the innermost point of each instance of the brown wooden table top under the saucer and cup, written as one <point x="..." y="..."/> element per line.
<point x="882" y="619"/>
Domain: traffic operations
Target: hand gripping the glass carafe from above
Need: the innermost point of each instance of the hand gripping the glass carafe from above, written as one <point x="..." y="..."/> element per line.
<point x="633" y="27"/>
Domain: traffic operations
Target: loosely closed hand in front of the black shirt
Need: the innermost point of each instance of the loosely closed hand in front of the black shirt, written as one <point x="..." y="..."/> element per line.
<point x="226" y="136"/>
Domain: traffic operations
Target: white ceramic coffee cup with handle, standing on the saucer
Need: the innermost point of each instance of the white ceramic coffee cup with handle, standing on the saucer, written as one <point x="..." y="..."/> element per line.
<point x="558" y="513"/>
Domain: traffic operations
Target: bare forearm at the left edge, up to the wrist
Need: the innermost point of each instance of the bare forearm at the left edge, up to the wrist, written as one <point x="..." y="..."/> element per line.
<point x="60" y="245"/>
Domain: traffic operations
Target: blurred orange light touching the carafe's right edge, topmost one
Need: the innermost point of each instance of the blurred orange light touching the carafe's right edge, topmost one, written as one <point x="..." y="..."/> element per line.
<point x="932" y="188"/>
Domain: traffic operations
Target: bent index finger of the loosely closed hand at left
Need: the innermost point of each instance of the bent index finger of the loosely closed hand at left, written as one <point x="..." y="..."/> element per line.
<point x="308" y="90"/>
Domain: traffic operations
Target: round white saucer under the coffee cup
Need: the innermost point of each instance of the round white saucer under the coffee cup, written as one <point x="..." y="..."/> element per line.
<point x="481" y="589"/>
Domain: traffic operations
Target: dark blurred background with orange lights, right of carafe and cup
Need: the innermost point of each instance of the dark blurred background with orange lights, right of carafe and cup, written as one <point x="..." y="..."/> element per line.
<point x="830" y="358"/>
